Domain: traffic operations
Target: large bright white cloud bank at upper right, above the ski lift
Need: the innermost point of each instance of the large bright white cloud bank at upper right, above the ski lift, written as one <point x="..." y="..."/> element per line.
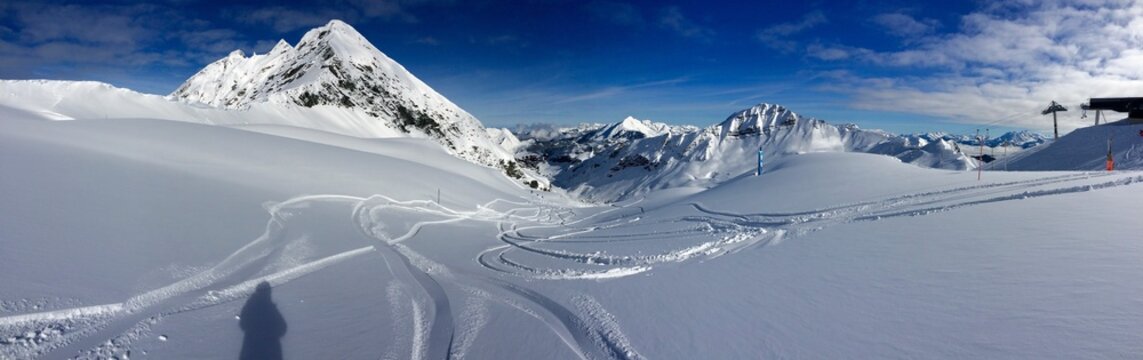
<point x="1008" y="62"/>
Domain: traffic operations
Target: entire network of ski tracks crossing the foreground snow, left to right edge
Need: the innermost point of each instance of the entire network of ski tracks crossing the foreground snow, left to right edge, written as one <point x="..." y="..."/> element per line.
<point x="589" y="332"/>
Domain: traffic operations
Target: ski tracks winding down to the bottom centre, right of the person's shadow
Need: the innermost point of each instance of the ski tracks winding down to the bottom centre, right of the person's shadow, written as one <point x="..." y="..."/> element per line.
<point x="582" y="338"/>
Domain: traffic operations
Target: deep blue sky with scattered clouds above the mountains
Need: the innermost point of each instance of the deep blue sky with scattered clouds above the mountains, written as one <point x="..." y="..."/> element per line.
<point x="898" y="66"/>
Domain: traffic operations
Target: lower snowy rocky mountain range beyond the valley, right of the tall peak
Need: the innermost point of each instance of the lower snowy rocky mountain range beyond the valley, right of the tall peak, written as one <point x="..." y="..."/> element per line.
<point x="632" y="158"/>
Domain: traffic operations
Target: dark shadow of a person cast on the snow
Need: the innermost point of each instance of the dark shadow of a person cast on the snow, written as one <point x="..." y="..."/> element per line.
<point x="263" y="325"/>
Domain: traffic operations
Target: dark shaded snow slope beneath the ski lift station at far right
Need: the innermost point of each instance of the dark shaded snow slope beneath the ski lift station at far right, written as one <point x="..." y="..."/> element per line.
<point x="1084" y="149"/>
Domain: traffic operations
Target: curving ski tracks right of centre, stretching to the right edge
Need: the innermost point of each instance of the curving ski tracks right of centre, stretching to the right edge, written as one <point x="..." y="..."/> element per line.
<point x="717" y="234"/>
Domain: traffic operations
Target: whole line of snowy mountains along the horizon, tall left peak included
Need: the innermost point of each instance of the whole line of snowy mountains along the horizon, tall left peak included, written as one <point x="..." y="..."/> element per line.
<point x="335" y="81"/>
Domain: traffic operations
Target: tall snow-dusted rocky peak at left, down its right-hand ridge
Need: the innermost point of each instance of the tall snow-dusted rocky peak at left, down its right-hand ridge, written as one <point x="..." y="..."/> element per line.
<point x="335" y="67"/>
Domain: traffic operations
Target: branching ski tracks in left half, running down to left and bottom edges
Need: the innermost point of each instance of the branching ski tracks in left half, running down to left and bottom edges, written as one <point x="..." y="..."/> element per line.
<point x="111" y="330"/>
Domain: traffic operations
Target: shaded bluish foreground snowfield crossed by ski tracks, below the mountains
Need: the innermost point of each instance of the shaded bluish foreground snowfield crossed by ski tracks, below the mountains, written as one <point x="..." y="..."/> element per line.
<point x="139" y="238"/>
